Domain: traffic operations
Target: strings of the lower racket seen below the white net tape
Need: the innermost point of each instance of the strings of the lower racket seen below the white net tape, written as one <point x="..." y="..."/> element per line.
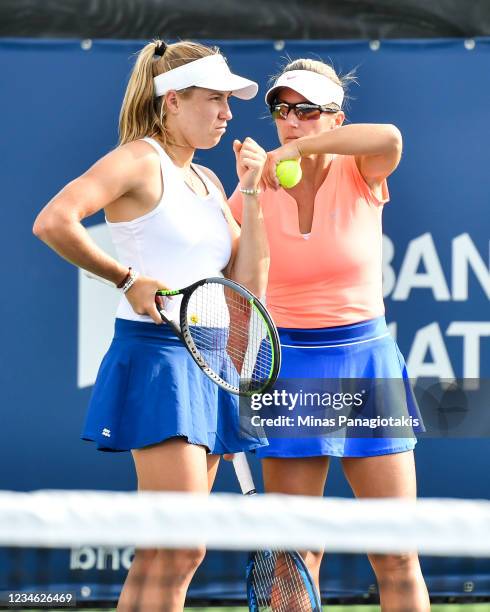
<point x="278" y="584"/>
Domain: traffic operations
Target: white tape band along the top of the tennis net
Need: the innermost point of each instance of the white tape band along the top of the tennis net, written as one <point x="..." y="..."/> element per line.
<point x="233" y="522"/>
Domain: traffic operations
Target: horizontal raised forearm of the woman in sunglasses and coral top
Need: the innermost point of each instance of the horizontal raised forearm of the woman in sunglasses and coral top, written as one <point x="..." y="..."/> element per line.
<point x="356" y="139"/>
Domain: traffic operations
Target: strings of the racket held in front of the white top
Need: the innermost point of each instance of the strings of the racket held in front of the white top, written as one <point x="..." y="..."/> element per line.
<point x="231" y="334"/>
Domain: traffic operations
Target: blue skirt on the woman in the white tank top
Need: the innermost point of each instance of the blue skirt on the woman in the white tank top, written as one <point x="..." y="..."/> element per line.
<point x="148" y="389"/>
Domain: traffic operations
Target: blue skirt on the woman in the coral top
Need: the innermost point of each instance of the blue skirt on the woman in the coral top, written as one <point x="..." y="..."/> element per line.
<point x="363" y="352"/>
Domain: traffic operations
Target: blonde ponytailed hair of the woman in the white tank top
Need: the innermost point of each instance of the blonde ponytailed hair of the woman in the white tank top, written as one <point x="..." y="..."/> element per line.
<point x="142" y="114"/>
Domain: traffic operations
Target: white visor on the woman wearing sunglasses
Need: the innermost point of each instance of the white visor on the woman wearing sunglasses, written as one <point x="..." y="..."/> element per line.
<point x="315" y="87"/>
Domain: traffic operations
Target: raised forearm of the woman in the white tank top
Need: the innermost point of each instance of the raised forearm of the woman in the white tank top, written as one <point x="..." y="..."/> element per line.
<point x="251" y="264"/>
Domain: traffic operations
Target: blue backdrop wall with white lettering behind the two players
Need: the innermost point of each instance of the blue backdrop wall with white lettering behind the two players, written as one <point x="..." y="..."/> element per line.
<point x="60" y="101"/>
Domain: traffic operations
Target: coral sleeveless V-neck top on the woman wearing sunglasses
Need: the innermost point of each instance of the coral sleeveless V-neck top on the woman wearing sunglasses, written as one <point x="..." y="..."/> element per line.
<point x="335" y="276"/>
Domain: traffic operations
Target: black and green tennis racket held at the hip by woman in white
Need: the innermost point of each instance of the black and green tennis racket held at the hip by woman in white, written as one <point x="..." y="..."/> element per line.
<point x="227" y="331"/>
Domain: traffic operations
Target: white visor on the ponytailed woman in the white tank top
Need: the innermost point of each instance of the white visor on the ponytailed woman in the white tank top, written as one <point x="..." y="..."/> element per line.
<point x="210" y="72"/>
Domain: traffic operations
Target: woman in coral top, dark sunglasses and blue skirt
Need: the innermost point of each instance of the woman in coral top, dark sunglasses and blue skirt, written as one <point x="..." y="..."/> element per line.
<point x="325" y="295"/>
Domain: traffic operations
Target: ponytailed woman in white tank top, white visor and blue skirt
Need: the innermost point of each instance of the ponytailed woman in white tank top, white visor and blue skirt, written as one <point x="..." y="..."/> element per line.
<point x="171" y="226"/>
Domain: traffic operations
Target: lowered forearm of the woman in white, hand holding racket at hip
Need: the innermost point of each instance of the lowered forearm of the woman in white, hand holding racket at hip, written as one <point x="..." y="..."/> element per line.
<point x="67" y="236"/>
